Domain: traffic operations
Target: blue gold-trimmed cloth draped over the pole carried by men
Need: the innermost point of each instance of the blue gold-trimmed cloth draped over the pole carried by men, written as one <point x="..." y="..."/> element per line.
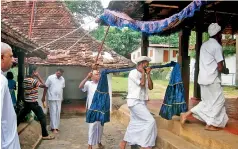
<point x="100" y="107"/>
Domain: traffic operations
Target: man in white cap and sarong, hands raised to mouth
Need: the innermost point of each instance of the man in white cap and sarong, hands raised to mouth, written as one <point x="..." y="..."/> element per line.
<point x="142" y="129"/>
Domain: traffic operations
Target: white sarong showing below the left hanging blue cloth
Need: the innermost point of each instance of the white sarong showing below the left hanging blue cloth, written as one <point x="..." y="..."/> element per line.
<point x="95" y="132"/>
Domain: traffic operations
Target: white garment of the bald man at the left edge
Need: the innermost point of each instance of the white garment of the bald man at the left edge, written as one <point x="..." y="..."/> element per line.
<point x="9" y="135"/>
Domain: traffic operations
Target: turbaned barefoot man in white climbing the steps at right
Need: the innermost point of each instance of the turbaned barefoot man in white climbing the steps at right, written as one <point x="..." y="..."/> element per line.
<point x="211" y="109"/>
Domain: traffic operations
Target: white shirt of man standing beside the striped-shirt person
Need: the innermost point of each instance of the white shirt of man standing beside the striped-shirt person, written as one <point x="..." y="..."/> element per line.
<point x="55" y="87"/>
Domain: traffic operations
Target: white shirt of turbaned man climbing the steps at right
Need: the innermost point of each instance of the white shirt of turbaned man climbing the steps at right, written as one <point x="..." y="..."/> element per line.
<point x="210" y="55"/>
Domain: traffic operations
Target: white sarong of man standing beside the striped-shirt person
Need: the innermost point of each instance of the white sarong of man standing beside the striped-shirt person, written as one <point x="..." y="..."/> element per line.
<point x="55" y="109"/>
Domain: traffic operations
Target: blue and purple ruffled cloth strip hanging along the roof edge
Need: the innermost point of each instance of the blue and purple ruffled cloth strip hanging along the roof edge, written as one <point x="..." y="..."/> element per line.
<point x="121" y="20"/>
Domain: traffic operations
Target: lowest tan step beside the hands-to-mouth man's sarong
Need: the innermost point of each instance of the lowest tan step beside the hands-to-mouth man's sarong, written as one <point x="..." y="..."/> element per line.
<point x="168" y="140"/>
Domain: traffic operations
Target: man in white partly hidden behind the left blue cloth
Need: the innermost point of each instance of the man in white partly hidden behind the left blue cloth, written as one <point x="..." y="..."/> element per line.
<point x="95" y="129"/>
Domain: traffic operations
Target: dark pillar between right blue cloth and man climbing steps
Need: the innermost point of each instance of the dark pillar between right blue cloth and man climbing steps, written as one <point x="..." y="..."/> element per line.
<point x="184" y="60"/>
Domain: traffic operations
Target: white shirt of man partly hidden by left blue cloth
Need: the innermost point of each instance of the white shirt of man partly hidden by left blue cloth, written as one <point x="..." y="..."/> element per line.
<point x="89" y="87"/>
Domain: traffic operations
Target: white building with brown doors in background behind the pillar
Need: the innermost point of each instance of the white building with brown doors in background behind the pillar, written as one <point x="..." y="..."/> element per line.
<point x="159" y="53"/>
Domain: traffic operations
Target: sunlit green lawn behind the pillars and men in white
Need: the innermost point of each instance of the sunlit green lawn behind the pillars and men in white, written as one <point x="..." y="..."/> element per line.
<point x="120" y="84"/>
